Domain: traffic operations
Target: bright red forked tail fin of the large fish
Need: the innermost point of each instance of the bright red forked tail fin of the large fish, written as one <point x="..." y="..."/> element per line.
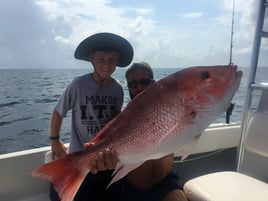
<point x="64" y="174"/>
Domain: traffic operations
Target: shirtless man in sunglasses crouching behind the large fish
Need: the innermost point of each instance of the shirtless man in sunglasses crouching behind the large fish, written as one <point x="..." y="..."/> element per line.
<point x="154" y="179"/>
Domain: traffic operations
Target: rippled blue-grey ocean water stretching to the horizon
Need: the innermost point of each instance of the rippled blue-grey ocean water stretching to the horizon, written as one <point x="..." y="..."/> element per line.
<point x="28" y="96"/>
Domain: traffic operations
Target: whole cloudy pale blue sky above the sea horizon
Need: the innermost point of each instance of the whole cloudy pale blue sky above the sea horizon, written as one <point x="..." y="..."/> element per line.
<point x="171" y="33"/>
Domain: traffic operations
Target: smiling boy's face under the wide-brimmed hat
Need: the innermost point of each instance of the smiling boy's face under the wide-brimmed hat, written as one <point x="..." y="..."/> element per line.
<point x="104" y="62"/>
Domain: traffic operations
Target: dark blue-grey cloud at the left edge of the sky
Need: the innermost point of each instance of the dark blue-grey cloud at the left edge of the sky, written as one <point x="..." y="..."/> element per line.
<point x="27" y="37"/>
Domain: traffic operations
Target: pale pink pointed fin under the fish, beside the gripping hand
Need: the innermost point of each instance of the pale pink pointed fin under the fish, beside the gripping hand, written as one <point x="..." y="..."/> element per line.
<point x="121" y="171"/>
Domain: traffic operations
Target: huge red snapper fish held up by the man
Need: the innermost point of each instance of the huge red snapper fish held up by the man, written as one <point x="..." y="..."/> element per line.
<point x="169" y="116"/>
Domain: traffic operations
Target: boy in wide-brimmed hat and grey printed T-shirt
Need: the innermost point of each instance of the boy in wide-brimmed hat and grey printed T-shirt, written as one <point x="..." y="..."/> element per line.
<point x="94" y="98"/>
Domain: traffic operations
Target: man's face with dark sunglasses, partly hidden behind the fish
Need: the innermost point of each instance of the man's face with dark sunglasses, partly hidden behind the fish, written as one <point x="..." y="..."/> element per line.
<point x="137" y="81"/>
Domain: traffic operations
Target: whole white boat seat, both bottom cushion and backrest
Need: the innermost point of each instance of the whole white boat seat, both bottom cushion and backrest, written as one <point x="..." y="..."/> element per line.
<point x="250" y="183"/>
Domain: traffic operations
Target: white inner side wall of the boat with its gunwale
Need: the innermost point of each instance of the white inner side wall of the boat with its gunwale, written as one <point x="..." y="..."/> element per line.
<point x="16" y="182"/>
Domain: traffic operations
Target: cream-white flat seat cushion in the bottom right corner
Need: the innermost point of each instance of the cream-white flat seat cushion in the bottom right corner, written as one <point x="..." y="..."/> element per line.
<point x="226" y="186"/>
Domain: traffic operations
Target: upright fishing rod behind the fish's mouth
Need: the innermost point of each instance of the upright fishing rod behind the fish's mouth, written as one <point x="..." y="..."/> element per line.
<point x="231" y="107"/>
